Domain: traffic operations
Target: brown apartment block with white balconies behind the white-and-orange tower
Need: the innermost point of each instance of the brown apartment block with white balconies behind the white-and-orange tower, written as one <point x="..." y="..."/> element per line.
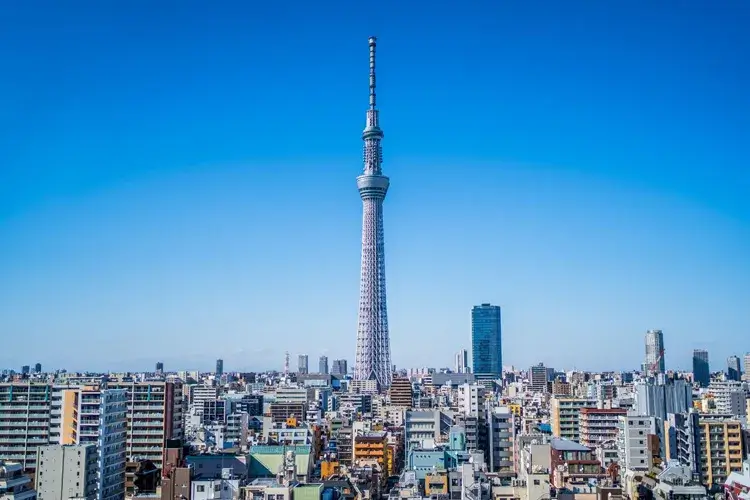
<point x="154" y="415"/>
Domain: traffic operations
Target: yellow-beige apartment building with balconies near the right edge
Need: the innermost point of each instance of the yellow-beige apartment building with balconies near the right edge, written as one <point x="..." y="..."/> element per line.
<point x="721" y="448"/>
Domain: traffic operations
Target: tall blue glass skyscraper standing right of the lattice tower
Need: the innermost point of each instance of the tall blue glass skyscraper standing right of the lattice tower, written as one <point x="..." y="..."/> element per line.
<point x="486" y="341"/>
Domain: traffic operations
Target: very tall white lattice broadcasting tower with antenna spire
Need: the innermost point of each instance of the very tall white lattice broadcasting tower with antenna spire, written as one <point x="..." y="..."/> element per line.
<point x="373" y="360"/>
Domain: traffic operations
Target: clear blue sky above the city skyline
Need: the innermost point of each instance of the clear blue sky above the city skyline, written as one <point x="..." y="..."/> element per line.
<point x="177" y="179"/>
